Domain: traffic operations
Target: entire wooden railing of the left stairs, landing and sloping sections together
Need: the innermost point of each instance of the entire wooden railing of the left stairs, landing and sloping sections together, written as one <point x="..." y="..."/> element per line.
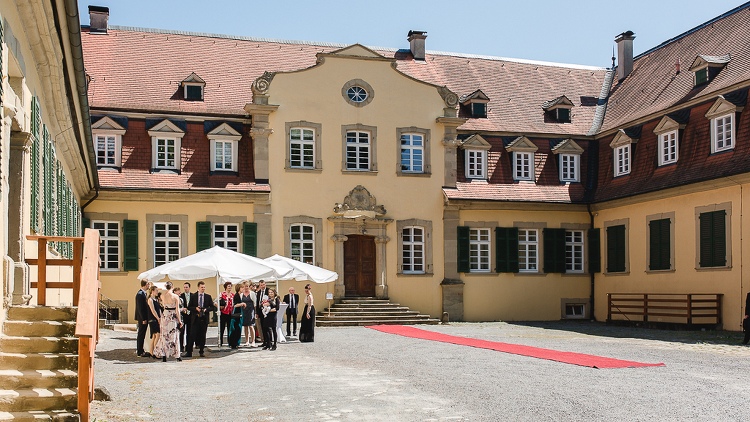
<point x="85" y="287"/>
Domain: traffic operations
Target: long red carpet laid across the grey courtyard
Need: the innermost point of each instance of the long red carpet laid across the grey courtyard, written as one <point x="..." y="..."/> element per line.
<point x="516" y="349"/>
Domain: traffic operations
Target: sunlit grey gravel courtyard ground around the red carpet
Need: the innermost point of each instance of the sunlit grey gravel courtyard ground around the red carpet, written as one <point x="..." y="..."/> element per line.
<point x="358" y="374"/>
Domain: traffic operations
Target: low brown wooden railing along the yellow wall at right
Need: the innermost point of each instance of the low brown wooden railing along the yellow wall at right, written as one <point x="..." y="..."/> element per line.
<point x="680" y="308"/>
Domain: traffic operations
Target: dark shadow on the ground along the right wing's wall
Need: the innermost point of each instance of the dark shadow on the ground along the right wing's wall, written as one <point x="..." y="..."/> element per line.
<point x="595" y="328"/>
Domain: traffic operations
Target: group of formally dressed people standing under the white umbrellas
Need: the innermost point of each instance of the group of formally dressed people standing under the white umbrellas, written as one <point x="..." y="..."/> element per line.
<point x="178" y="320"/>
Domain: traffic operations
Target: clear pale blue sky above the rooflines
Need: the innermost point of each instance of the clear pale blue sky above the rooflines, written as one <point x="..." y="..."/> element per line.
<point x="575" y="31"/>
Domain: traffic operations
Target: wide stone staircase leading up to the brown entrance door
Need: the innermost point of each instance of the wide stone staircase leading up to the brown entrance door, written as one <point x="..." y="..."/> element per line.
<point x="369" y="311"/>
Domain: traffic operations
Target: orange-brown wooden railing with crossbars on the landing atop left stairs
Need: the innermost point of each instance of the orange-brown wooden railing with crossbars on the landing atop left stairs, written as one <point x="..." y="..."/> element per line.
<point x="42" y="262"/>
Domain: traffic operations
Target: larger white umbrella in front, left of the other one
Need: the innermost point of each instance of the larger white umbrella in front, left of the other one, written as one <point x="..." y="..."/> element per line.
<point x="217" y="262"/>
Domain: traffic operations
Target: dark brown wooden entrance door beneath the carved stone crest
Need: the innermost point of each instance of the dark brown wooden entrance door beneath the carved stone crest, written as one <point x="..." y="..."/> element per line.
<point x="359" y="265"/>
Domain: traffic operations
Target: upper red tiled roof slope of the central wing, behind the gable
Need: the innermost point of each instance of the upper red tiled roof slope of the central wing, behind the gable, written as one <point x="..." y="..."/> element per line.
<point x="139" y="69"/>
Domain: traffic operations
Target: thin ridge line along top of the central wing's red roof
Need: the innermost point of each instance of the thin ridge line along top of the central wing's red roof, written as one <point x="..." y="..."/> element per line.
<point x="339" y="45"/>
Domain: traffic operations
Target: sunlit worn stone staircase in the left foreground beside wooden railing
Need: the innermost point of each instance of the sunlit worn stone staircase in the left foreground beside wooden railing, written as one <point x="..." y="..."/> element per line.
<point x="38" y="364"/>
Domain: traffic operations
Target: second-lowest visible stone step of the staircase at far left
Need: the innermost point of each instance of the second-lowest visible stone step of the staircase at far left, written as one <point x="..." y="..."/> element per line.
<point x="38" y="399"/>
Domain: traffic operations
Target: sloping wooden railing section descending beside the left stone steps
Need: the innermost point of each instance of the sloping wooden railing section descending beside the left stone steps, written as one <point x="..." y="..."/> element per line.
<point x="87" y="321"/>
